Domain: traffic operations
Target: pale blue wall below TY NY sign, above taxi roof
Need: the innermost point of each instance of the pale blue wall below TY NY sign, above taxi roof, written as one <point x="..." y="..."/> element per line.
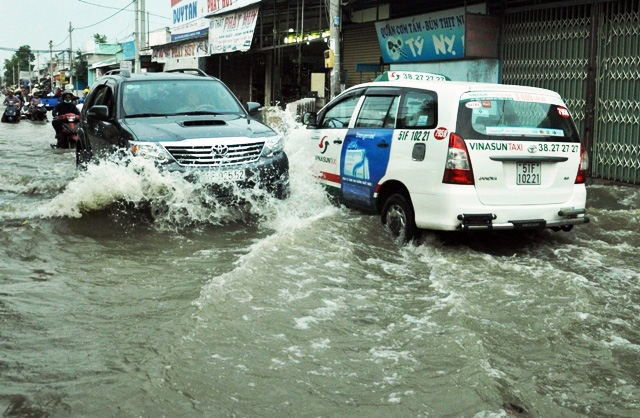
<point x="481" y="70"/>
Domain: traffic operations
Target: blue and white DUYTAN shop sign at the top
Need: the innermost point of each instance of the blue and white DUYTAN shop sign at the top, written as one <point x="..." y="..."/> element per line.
<point x="187" y="19"/>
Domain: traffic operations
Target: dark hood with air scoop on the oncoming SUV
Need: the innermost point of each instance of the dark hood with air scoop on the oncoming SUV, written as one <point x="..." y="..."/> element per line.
<point x="163" y="129"/>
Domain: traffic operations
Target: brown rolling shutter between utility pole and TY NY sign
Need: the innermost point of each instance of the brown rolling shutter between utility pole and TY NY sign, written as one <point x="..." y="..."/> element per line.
<point x="360" y="45"/>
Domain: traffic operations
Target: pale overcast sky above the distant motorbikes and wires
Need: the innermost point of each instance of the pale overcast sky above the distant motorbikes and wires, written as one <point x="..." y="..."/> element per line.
<point x="35" y="22"/>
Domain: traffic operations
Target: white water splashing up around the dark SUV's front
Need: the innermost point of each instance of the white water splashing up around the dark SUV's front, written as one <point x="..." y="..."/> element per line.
<point x="174" y="200"/>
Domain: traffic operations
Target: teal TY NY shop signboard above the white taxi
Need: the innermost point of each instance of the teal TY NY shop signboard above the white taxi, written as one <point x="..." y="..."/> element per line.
<point x="428" y="37"/>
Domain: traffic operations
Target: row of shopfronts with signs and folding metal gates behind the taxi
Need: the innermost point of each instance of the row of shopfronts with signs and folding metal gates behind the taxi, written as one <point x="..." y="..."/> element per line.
<point x="272" y="51"/>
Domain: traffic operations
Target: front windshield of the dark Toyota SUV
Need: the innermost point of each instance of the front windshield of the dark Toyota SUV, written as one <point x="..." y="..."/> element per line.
<point x="177" y="97"/>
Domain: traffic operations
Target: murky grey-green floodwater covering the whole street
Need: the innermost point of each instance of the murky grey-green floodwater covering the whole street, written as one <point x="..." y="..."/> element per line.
<point x="127" y="292"/>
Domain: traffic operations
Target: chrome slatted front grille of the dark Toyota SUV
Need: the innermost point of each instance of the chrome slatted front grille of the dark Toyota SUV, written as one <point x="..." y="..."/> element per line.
<point x="215" y="155"/>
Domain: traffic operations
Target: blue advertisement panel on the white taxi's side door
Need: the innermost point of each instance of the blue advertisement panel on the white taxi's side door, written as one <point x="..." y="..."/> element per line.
<point x="363" y="162"/>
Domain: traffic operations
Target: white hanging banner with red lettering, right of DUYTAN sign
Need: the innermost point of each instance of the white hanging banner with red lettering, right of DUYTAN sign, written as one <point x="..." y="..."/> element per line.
<point x="233" y="31"/>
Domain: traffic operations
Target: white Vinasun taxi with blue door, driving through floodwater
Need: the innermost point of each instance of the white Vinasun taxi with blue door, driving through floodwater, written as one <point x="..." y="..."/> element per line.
<point x="427" y="153"/>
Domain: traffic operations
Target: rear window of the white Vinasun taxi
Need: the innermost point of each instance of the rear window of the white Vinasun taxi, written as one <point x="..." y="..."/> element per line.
<point x="505" y="116"/>
